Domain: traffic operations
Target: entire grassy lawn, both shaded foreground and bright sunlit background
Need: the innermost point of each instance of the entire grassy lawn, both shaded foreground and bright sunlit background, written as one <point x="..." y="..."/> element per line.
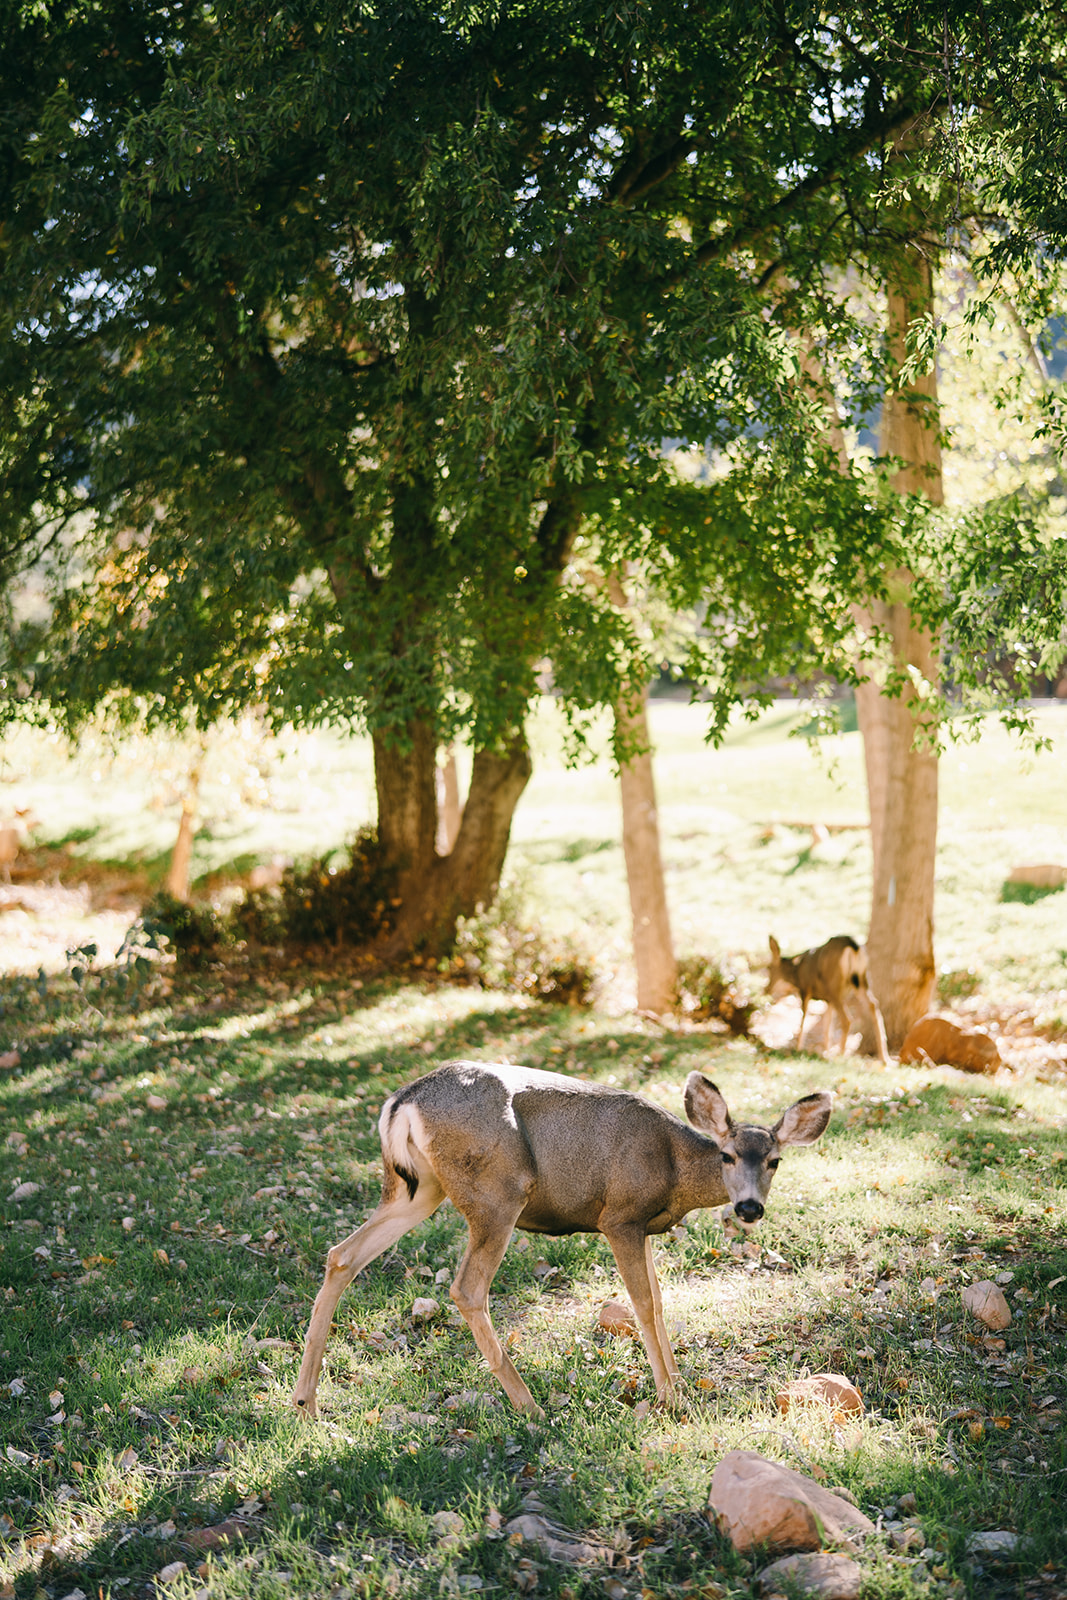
<point x="178" y="1174"/>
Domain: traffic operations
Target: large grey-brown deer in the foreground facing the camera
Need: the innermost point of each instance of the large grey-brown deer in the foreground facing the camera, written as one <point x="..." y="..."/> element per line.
<point x="551" y="1154"/>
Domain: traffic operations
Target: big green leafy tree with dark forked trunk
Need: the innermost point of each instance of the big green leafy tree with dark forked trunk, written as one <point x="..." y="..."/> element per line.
<point x="348" y="334"/>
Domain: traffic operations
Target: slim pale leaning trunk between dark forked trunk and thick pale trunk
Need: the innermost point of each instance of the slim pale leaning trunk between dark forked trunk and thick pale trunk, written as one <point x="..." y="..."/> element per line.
<point x="653" y="946"/>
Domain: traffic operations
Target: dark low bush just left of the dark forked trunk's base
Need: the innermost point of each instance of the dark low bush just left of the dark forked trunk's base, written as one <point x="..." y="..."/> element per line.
<point x="322" y="903"/>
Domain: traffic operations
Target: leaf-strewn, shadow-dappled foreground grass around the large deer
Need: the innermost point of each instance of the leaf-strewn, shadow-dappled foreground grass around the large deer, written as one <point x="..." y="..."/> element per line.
<point x="175" y="1335"/>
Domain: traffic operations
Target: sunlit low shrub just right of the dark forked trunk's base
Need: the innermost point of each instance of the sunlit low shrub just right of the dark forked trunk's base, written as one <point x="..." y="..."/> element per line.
<point x="505" y="948"/>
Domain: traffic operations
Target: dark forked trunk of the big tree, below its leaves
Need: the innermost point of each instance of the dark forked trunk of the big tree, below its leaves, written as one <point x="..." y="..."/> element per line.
<point x="436" y="890"/>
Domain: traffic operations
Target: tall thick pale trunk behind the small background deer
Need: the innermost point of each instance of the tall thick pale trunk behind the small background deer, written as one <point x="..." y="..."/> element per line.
<point x="901" y="762"/>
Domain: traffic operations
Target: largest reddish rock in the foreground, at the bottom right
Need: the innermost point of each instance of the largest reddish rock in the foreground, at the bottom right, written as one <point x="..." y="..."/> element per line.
<point x="759" y="1502"/>
